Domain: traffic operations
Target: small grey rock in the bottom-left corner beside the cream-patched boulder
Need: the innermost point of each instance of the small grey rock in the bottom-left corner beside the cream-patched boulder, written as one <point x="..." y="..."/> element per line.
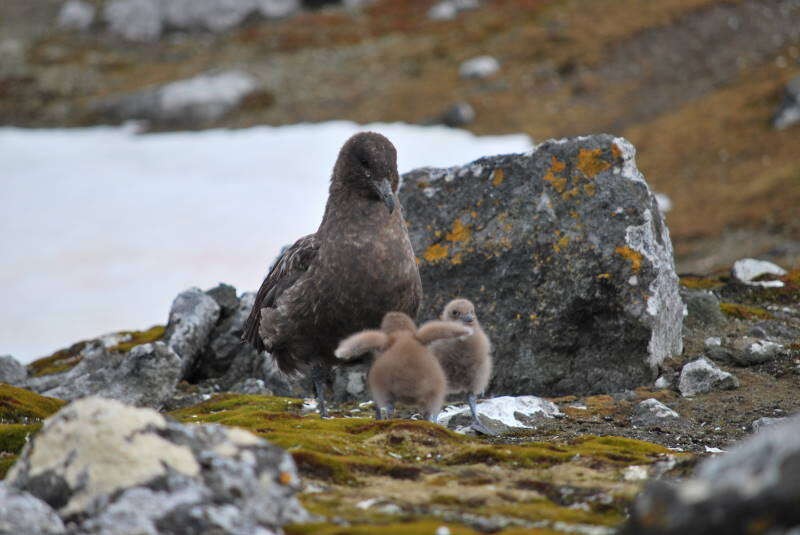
<point x="24" y="514"/>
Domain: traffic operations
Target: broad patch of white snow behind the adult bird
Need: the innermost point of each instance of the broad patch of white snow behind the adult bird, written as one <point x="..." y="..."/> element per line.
<point x="102" y="228"/>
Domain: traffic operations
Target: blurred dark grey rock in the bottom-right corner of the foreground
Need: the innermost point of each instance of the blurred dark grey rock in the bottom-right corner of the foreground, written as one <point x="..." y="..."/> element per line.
<point x="754" y="483"/>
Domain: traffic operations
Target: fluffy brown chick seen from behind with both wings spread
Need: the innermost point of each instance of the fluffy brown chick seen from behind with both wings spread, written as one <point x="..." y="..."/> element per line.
<point x="405" y="369"/>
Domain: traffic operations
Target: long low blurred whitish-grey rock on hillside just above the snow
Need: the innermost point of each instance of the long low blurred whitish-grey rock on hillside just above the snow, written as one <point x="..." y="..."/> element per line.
<point x="195" y="101"/>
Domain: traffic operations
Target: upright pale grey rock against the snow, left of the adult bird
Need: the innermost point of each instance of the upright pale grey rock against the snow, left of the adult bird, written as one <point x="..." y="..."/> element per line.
<point x="192" y="317"/>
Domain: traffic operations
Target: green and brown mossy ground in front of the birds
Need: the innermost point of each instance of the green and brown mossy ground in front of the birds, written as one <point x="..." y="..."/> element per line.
<point x="406" y="476"/>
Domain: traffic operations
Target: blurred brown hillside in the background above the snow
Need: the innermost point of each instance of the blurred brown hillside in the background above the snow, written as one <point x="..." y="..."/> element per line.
<point x="693" y="84"/>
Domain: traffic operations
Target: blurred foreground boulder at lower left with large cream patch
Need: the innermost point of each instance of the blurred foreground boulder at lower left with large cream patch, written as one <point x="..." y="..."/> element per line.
<point x="115" y="469"/>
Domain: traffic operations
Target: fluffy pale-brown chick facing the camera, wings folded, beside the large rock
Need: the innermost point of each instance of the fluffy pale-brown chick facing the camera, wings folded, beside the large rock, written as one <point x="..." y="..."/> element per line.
<point x="467" y="361"/>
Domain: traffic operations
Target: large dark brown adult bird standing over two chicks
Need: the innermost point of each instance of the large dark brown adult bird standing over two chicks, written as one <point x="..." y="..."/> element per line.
<point x="358" y="266"/>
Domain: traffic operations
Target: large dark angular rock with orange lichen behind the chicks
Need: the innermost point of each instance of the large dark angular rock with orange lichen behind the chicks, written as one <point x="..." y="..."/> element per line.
<point x="566" y="256"/>
